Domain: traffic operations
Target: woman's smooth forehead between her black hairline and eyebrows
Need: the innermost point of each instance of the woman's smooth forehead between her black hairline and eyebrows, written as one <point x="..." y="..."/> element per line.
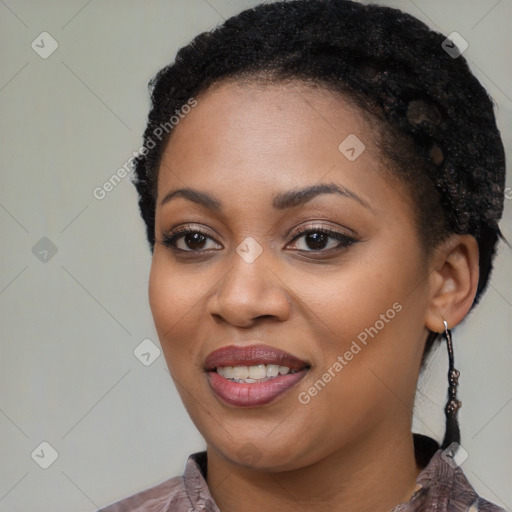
<point x="252" y="138"/>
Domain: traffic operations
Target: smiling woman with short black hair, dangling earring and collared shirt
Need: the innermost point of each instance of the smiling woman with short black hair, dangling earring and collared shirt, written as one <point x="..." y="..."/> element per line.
<point x="321" y="183"/>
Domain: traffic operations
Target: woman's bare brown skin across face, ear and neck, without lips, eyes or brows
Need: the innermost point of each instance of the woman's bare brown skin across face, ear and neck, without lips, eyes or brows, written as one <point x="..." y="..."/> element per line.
<point x="350" y="447"/>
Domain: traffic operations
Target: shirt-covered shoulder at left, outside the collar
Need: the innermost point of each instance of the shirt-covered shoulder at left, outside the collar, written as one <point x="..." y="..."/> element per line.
<point x="168" y="495"/>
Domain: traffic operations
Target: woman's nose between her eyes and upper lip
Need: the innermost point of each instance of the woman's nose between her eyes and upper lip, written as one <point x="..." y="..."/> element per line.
<point x="249" y="292"/>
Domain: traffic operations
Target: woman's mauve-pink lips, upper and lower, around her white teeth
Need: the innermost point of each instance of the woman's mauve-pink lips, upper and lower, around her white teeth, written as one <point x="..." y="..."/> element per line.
<point x="256" y="393"/>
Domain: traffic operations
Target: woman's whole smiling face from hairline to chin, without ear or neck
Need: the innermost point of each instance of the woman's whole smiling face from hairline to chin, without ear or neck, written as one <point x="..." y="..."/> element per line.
<point x="268" y="170"/>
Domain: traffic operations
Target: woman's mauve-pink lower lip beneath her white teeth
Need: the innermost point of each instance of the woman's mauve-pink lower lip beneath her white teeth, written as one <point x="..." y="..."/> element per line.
<point x="250" y="395"/>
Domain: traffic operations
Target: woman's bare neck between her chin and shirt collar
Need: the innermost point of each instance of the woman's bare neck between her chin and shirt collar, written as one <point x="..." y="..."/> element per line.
<point x="373" y="478"/>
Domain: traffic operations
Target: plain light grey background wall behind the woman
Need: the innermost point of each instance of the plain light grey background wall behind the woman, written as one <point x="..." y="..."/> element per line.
<point x="68" y="374"/>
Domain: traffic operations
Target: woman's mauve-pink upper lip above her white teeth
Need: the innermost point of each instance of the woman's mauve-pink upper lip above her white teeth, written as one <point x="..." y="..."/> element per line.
<point x="251" y="355"/>
